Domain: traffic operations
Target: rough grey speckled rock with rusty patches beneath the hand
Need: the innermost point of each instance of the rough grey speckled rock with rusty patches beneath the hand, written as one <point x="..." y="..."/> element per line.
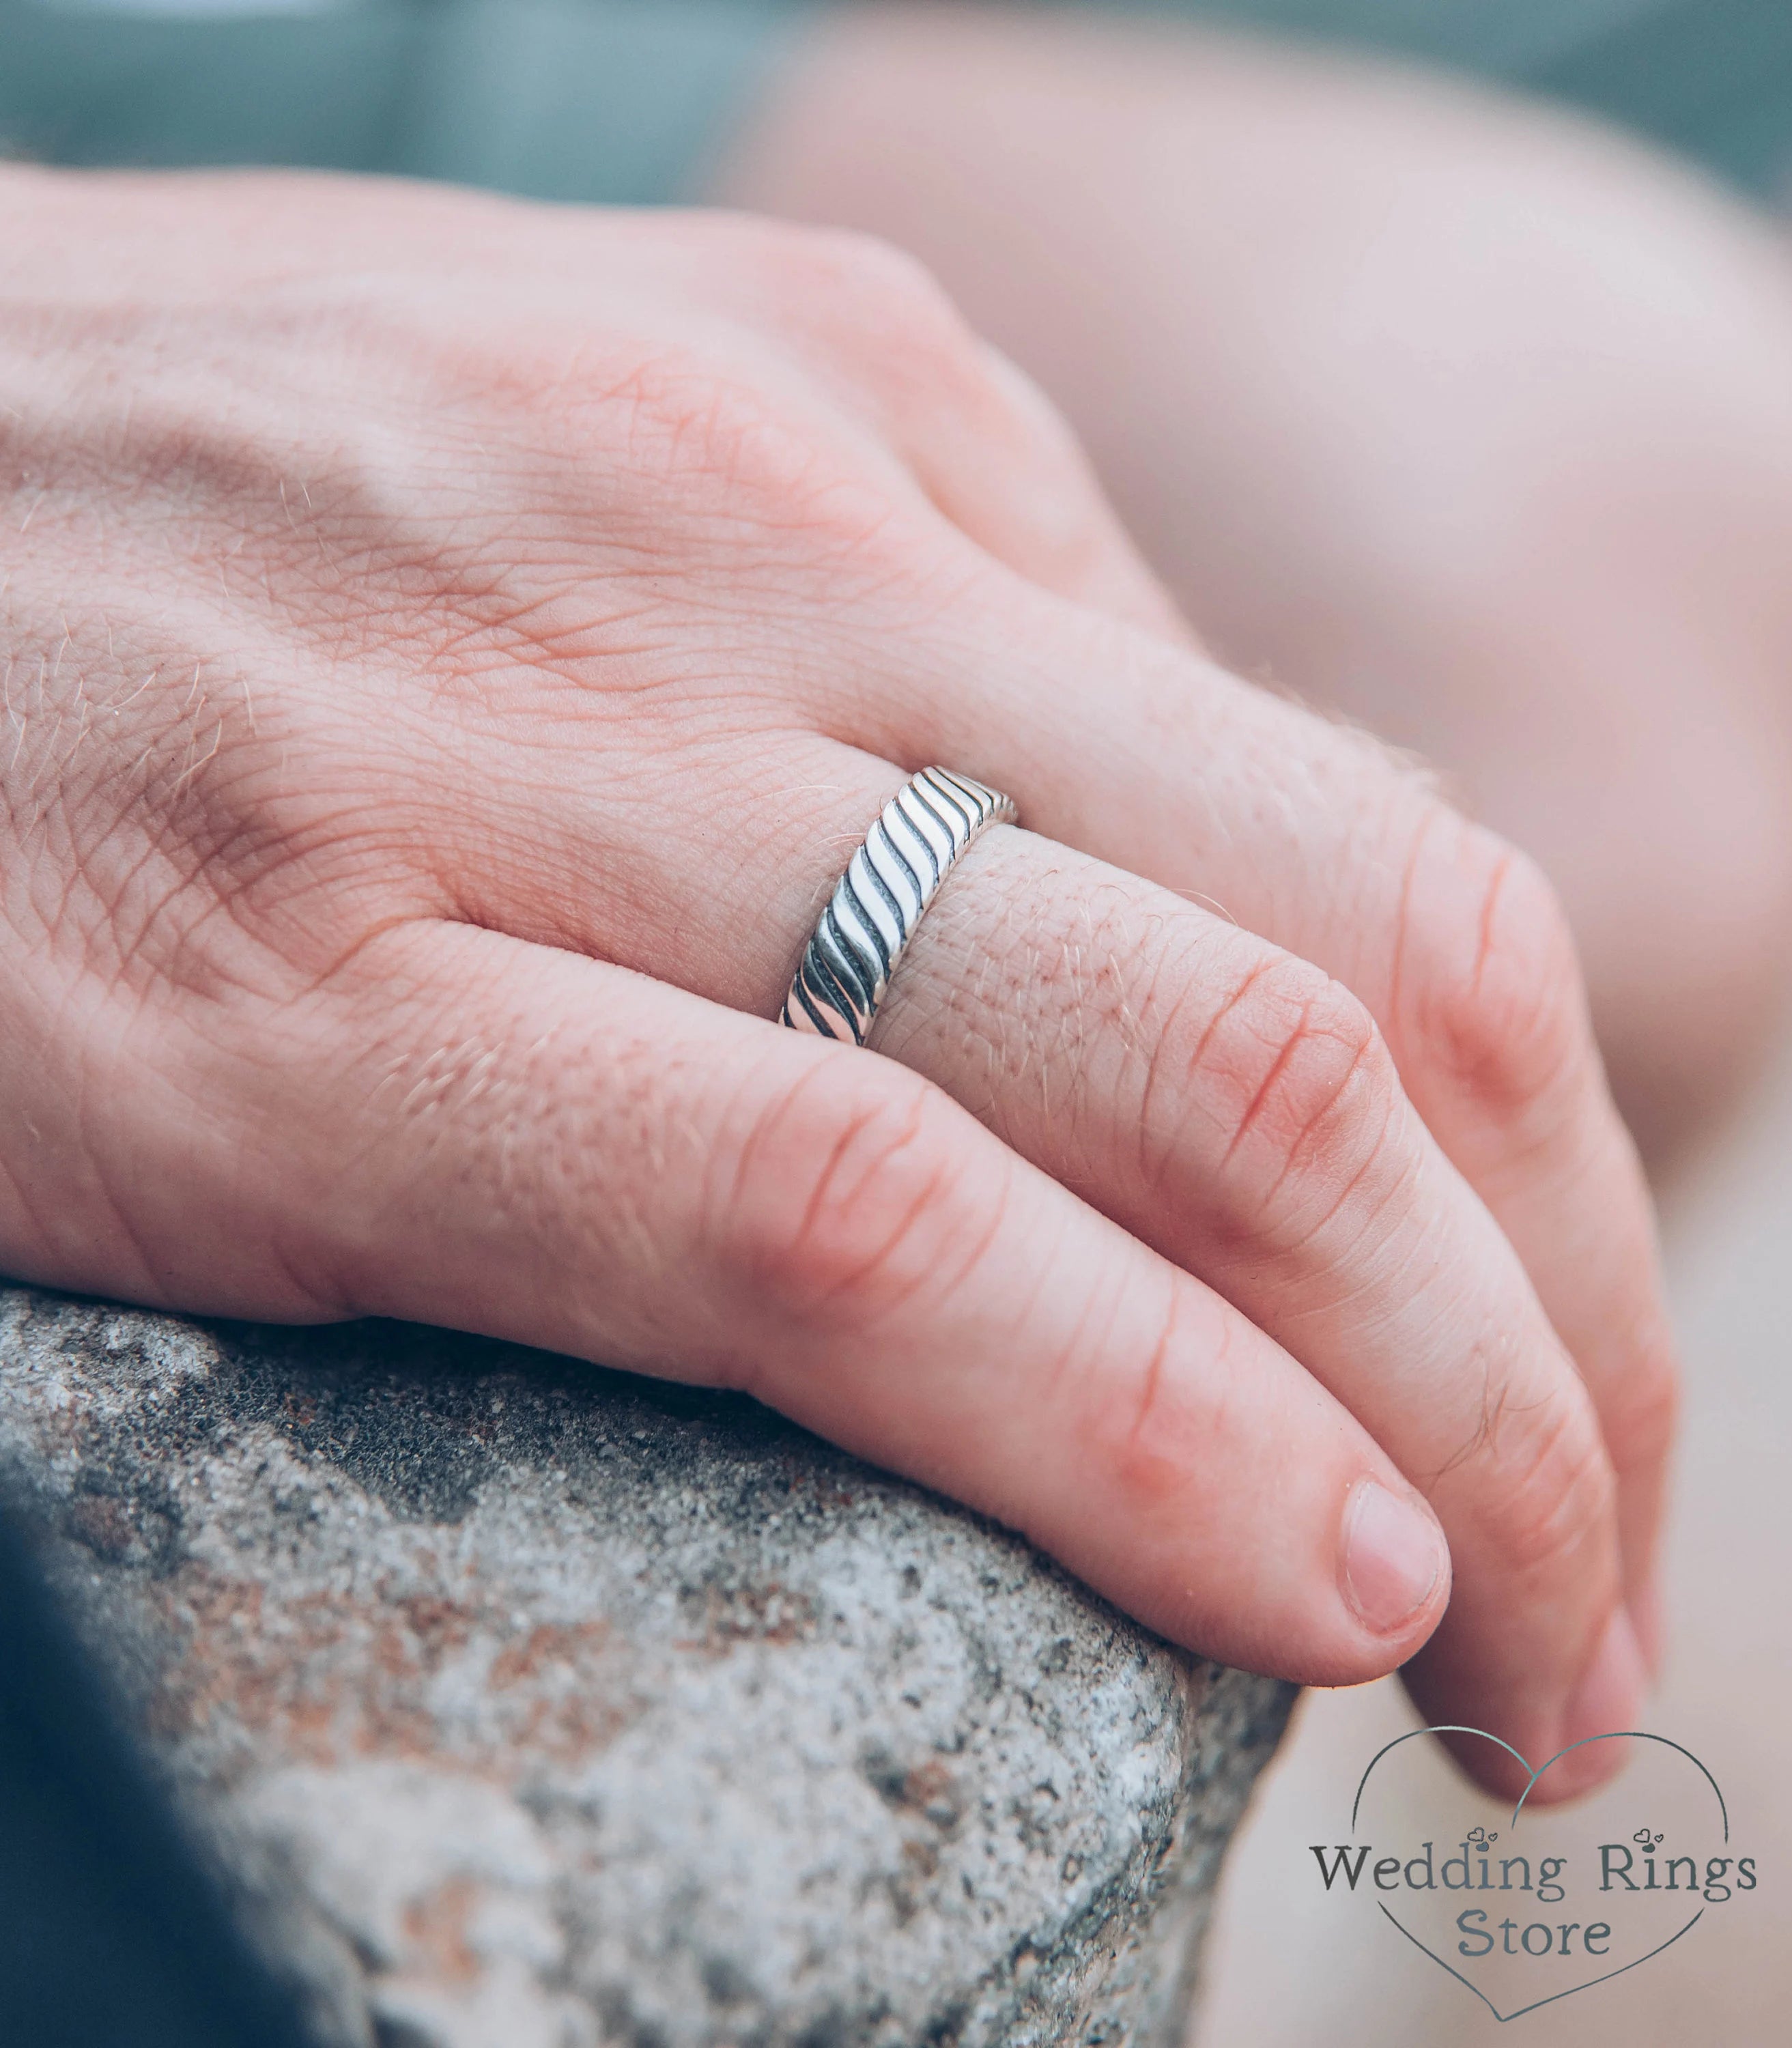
<point x="536" y="1707"/>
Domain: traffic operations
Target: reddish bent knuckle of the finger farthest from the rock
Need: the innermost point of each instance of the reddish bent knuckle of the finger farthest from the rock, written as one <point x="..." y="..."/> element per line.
<point x="1500" y="1000"/>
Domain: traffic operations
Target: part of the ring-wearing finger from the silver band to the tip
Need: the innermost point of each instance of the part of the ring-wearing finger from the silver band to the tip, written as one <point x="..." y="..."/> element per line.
<point x="1240" y="1111"/>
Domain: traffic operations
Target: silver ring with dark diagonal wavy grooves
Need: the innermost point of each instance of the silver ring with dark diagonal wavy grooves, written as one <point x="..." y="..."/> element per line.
<point x="880" y="900"/>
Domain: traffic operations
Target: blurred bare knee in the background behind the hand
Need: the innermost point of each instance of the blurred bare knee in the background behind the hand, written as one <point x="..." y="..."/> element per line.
<point x="1459" y="417"/>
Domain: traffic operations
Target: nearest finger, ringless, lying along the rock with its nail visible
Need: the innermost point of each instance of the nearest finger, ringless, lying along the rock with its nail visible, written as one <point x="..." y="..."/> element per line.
<point x="513" y="1140"/>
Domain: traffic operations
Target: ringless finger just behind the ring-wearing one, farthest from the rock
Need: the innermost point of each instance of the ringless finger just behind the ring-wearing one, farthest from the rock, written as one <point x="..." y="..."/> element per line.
<point x="1320" y="841"/>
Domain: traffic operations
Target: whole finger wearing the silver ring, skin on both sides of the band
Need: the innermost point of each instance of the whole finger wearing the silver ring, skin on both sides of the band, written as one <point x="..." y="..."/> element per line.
<point x="1220" y="1099"/>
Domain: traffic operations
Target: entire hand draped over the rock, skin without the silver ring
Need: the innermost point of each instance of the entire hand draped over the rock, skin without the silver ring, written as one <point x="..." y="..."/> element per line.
<point x="452" y="650"/>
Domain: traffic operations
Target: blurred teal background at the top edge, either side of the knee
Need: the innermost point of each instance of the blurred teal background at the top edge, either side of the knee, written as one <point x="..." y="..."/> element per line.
<point x="626" y="99"/>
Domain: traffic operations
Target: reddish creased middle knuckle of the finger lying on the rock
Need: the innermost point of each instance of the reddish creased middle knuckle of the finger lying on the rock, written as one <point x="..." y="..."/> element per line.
<point x="845" y="1197"/>
